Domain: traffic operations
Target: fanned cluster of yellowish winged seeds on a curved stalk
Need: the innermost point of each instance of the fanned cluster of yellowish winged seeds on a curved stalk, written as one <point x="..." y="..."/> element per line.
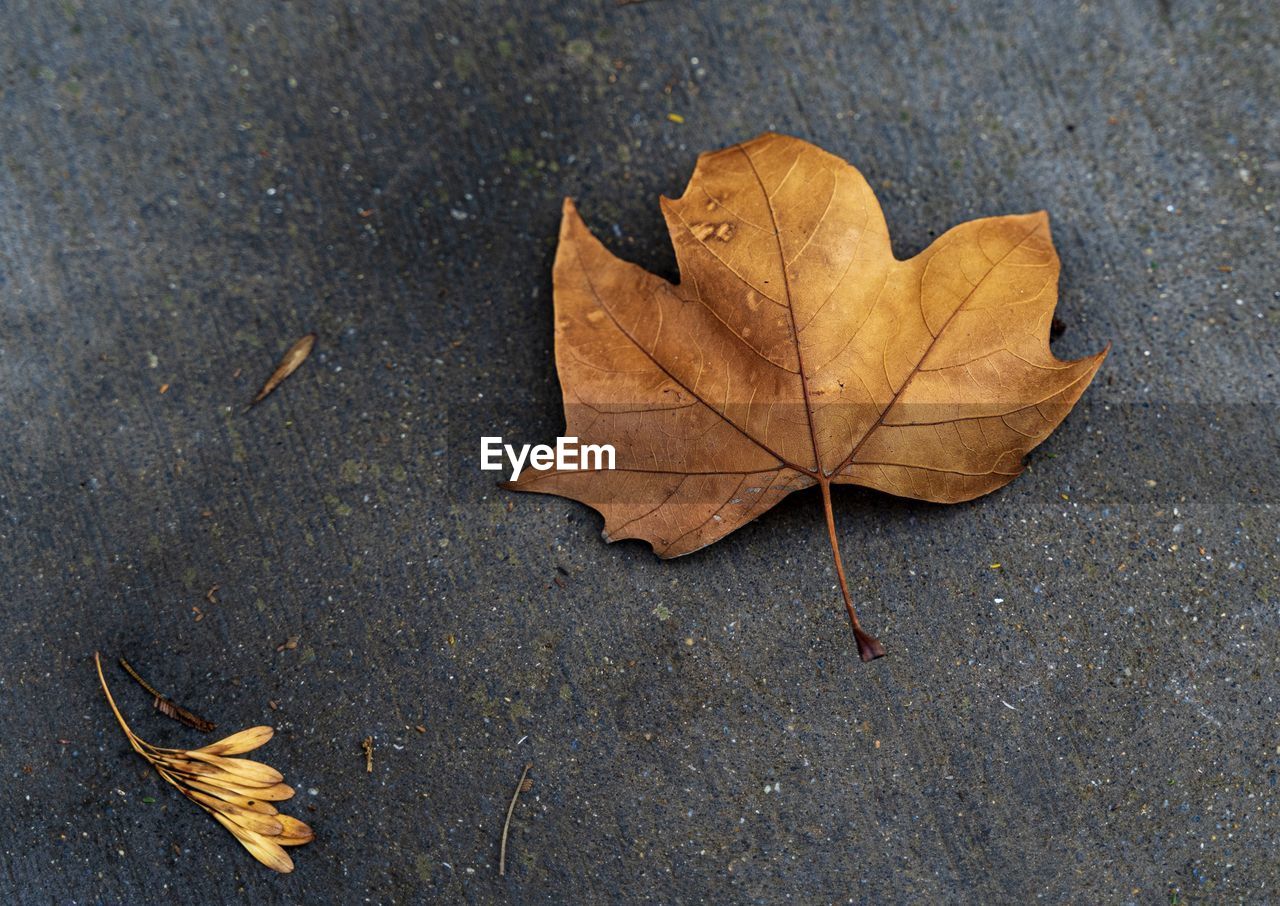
<point x="237" y="793"/>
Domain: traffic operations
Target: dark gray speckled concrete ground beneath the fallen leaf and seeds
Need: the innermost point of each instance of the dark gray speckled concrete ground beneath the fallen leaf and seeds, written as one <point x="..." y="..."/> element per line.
<point x="189" y="187"/>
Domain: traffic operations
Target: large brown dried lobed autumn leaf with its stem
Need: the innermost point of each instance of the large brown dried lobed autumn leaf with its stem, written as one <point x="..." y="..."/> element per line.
<point x="798" y="351"/>
